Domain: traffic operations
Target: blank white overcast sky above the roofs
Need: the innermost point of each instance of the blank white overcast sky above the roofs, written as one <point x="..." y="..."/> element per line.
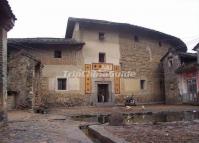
<point x="48" y="18"/>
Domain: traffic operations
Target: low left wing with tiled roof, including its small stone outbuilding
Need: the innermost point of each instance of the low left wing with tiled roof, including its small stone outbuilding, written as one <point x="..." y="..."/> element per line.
<point x="51" y="59"/>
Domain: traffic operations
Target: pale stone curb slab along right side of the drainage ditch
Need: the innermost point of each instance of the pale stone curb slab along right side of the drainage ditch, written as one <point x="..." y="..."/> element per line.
<point x="104" y="135"/>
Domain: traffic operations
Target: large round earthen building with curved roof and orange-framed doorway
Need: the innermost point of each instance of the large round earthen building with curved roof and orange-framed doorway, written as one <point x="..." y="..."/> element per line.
<point x="97" y="63"/>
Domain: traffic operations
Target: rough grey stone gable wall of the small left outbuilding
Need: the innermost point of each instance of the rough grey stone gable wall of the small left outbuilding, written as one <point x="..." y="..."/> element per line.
<point x="21" y="78"/>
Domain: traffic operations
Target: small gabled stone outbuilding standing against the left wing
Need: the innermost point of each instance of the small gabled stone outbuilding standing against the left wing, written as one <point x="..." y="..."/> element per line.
<point x="24" y="72"/>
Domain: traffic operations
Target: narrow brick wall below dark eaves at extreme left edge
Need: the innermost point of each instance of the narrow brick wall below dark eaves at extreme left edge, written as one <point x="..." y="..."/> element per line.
<point x="3" y="75"/>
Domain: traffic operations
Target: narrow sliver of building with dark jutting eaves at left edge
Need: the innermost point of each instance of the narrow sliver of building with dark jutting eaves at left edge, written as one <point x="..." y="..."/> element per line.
<point x="7" y="19"/>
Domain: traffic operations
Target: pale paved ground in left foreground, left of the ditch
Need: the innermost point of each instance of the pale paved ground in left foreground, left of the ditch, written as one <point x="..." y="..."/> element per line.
<point x="26" y="127"/>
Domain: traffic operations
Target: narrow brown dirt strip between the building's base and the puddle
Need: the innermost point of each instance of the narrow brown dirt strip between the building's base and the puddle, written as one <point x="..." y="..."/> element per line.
<point x="133" y="109"/>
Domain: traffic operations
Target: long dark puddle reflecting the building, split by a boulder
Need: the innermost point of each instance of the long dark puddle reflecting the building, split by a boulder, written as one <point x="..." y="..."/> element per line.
<point x="143" y="117"/>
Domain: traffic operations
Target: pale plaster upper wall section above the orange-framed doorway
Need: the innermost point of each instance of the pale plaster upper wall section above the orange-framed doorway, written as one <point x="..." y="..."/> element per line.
<point x="93" y="46"/>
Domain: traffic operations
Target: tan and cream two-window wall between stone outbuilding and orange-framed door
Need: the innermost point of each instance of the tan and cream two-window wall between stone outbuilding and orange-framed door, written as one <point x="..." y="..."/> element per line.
<point x="54" y="68"/>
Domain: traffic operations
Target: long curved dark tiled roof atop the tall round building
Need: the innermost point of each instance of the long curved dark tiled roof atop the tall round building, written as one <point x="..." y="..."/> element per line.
<point x="178" y="43"/>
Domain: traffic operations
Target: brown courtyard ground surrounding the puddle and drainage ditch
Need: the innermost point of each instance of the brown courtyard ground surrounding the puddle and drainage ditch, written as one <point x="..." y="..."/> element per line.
<point x="58" y="127"/>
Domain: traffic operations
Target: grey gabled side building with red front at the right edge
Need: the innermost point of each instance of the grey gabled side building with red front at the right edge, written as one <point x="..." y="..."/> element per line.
<point x="181" y="77"/>
